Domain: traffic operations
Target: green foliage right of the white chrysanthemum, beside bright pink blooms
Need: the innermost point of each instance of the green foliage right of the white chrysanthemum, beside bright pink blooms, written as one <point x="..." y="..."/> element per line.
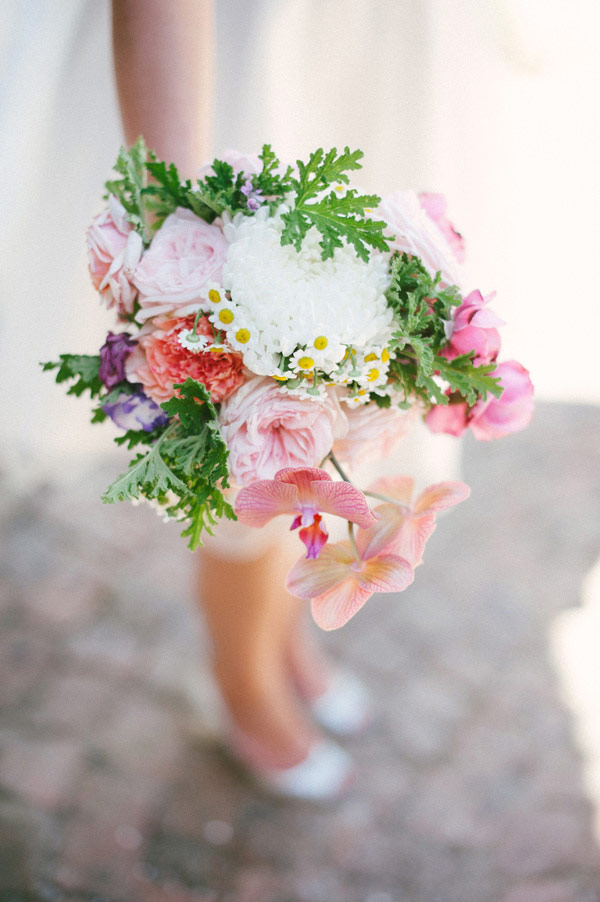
<point x="422" y="308"/>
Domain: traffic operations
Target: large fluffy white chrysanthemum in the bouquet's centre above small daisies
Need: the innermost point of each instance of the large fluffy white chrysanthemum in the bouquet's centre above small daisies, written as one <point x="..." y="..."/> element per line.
<point x="297" y="301"/>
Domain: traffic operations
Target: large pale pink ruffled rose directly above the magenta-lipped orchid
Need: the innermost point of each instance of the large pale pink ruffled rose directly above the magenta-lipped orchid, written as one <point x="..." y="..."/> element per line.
<point x="267" y="429"/>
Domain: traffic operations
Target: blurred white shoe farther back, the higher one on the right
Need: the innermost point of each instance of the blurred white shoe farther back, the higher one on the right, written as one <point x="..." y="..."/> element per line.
<point x="344" y="708"/>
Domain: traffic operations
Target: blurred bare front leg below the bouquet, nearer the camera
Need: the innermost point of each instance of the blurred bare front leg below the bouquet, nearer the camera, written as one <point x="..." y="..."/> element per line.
<point x="248" y="615"/>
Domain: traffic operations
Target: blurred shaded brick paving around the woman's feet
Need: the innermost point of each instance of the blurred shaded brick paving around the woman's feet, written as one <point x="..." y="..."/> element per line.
<point x="471" y="786"/>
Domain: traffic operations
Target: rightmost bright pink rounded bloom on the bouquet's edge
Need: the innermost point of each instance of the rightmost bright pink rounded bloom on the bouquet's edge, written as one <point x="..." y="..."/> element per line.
<point x="512" y="411"/>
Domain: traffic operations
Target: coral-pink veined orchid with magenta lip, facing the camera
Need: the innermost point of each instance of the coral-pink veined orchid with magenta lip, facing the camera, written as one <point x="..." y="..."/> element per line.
<point x="304" y="492"/>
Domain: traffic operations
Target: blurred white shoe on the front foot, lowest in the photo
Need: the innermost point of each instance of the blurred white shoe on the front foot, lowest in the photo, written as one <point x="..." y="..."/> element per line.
<point x="325" y="775"/>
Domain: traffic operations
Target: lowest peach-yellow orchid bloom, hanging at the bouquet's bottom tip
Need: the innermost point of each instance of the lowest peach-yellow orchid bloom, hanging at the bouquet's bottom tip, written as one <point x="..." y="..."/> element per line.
<point x="339" y="582"/>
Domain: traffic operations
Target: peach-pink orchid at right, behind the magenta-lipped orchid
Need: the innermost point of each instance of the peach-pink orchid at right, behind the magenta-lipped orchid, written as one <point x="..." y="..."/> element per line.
<point x="403" y="525"/>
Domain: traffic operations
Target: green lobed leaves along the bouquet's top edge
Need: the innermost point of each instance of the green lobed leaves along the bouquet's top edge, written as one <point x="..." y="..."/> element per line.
<point x="339" y="217"/>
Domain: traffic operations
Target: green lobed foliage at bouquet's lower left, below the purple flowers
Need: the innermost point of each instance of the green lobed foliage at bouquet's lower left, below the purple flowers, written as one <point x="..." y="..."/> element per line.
<point x="185" y="469"/>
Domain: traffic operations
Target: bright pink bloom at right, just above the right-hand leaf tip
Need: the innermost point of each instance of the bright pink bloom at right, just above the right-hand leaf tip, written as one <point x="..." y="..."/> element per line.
<point x="475" y="328"/>
